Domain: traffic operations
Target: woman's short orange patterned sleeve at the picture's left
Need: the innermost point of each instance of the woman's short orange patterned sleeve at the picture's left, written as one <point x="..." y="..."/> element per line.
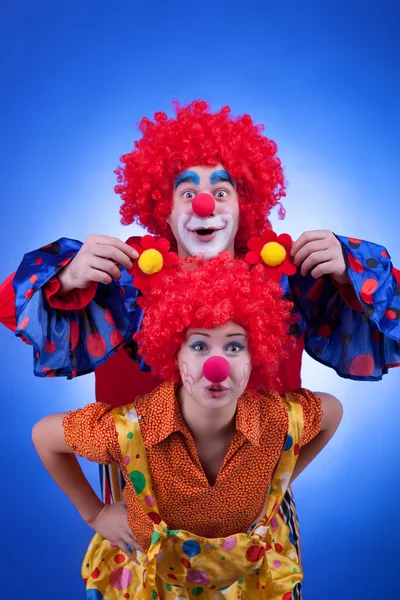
<point x="90" y="432"/>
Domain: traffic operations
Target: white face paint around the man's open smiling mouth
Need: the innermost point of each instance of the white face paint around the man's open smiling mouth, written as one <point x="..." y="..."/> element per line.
<point x="193" y="237"/>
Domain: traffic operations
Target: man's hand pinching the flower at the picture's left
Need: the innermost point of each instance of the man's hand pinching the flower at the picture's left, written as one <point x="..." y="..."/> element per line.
<point x="97" y="262"/>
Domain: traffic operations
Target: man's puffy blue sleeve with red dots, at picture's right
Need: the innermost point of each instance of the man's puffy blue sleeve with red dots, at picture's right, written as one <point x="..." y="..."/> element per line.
<point x="356" y="333"/>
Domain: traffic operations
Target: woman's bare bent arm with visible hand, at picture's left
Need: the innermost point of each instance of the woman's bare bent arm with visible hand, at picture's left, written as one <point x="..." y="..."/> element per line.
<point x="61" y="463"/>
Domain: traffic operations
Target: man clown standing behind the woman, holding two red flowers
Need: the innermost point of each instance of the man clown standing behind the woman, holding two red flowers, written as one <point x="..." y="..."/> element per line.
<point x="205" y="182"/>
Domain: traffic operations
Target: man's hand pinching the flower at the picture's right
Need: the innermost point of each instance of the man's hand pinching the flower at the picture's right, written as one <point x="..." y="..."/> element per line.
<point x="320" y="252"/>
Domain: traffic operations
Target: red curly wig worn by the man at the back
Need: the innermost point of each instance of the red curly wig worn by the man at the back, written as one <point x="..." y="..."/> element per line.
<point x="198" y="137"/>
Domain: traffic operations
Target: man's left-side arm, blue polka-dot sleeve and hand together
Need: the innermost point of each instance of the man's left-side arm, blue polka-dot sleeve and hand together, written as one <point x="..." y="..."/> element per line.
<point x="75" y="329"/>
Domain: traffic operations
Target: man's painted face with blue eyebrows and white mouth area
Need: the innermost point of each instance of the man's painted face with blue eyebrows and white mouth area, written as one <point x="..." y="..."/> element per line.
<point x="207" y="235"/>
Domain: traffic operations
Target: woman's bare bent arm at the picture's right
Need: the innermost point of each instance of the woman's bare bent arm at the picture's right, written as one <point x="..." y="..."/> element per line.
<point x="332" y="415"/>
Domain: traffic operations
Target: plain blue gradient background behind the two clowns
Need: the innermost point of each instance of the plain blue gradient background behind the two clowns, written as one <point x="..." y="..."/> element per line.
<point x="323" y="78"/>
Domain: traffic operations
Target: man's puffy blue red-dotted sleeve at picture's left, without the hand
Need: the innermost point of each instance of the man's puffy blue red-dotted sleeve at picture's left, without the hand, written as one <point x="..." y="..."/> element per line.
<point x="74" y="341"/>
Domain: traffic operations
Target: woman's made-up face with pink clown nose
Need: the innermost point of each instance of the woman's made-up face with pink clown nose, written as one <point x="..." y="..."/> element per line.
<point x="229" y="344"/>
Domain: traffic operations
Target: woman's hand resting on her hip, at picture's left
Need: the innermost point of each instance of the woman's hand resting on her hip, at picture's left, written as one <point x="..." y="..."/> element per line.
<point x="112" y="523"/>
